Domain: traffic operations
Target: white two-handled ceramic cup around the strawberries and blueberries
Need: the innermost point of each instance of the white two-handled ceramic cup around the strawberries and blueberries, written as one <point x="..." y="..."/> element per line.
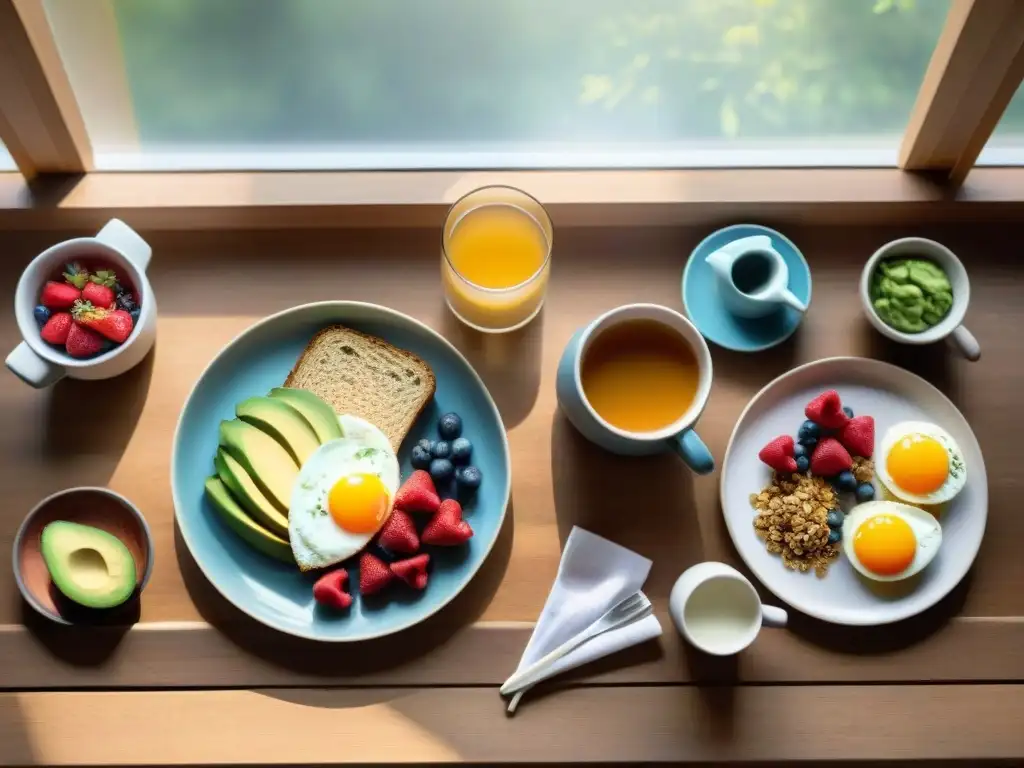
<point x="40" y="365"/>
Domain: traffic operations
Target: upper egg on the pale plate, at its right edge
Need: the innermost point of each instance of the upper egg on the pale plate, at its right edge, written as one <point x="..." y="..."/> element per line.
<point x="921" y="463"/>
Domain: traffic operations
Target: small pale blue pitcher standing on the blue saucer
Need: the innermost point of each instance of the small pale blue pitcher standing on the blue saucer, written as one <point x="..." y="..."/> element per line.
<point x="753" y="278"/>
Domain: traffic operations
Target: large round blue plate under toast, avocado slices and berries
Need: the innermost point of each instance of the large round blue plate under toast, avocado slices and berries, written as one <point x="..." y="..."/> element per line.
<point x="272" y="592"/>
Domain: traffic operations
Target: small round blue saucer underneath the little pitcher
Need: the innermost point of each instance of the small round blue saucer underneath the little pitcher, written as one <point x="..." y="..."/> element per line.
<point x="716" y="323"/>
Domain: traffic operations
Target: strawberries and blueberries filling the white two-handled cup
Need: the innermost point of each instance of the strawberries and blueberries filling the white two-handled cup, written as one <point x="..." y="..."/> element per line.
<point x="87" y="312"/>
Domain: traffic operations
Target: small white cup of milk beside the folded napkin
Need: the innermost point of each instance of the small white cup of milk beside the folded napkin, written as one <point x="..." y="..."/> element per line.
<point x="718" y="611"/>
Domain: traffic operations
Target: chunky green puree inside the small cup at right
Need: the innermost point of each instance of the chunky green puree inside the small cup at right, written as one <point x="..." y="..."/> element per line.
<point x="911" y="295"/>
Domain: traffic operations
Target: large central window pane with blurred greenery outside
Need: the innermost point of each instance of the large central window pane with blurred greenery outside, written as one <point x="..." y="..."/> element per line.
<point x="495" y="83"/>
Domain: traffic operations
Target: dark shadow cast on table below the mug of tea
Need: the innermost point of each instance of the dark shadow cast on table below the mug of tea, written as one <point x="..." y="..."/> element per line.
<point x="644" y="503"/>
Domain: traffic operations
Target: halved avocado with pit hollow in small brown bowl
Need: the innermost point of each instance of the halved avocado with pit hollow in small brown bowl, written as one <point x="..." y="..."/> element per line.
<point x="89" y="566"/>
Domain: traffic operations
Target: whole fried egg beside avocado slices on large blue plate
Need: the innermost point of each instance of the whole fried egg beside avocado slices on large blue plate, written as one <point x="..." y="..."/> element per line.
<point x="343" y="495"/>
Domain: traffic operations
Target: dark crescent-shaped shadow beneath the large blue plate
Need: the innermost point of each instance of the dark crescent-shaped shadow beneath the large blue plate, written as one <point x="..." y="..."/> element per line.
<point x="329" y="660"/>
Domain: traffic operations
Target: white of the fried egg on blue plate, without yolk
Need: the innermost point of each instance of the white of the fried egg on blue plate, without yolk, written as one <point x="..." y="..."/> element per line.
<point x="317" y="540"/>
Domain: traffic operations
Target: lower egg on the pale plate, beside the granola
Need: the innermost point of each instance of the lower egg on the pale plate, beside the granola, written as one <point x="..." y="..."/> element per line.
<point x="888" y="541"/>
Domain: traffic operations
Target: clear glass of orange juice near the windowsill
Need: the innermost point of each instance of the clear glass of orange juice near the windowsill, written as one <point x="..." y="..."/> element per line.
<point x="496" y="258"/>
